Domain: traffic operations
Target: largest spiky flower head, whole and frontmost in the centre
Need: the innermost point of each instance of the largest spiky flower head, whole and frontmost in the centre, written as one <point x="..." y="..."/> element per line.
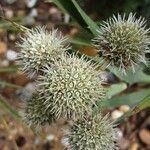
<point x="71" y="86"/>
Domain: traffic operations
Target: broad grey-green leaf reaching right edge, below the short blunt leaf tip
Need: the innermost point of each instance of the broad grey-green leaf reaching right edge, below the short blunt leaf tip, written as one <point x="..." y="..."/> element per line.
<point x="130" y="99"/>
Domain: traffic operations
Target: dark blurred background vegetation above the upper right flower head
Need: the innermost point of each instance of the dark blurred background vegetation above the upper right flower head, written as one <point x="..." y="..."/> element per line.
<point x="102" y="9"/>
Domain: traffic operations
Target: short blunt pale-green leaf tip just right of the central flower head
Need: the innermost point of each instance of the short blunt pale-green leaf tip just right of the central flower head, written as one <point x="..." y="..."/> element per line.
<point x="115" y="89"/>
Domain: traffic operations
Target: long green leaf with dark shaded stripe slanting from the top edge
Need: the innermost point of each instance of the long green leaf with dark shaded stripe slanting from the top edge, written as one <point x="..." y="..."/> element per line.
<point x="74" y="10"/>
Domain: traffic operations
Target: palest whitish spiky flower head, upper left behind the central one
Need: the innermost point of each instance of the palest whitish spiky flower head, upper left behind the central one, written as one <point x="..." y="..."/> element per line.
<point x="38" y="47"/>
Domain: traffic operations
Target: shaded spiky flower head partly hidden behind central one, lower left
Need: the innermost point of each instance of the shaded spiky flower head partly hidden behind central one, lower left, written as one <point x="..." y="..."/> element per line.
<point x="34" y="112"/>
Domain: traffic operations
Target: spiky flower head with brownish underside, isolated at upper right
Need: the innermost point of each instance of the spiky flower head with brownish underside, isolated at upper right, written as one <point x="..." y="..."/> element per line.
<point x="122" y="42"/>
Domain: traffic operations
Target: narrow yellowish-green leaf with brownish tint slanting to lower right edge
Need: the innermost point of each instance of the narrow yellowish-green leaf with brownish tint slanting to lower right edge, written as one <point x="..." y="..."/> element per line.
<point x="145" y="103"/>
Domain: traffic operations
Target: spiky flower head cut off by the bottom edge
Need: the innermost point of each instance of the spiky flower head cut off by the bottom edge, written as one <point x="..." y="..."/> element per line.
<point x="93" y="133"/>
